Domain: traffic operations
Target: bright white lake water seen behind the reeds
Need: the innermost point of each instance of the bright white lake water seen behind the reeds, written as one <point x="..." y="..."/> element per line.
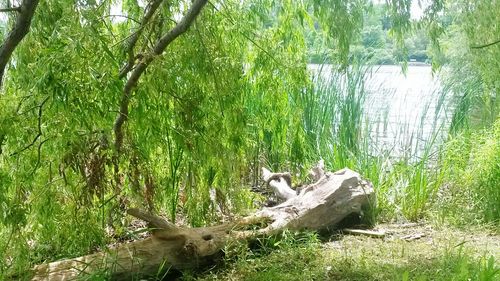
<point x="404" y="112"/>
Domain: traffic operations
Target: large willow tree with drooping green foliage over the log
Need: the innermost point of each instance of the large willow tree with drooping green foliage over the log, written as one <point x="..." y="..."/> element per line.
<point x="111" y="104"/>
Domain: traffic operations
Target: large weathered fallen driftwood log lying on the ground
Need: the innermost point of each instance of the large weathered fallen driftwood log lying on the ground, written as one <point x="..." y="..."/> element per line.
<point x="317" y="206"/>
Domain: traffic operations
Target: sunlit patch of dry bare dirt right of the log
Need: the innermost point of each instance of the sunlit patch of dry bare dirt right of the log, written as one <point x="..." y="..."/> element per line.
<point x="411" y="241"/>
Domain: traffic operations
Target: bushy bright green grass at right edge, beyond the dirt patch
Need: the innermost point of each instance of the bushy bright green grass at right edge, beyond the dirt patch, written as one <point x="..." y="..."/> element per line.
<point x="471" y="193"/>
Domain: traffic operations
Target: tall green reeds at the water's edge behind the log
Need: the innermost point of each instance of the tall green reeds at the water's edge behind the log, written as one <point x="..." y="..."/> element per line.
<point x="338" y="129"/>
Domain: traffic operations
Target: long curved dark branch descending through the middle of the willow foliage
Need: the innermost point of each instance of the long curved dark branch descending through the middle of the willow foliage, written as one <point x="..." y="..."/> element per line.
<point x="142" y="64"/>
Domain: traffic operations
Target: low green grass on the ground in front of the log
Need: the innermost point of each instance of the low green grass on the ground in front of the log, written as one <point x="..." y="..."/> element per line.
<point x="446" y="255"/>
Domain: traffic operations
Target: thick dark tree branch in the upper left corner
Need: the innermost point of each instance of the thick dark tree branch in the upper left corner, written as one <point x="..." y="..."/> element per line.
<point x="20" y="29"/>
